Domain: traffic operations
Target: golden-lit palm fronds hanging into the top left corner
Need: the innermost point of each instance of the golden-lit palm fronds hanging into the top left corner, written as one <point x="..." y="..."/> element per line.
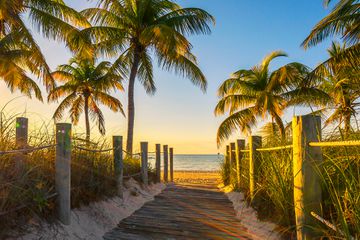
<point x="53" y="19"/>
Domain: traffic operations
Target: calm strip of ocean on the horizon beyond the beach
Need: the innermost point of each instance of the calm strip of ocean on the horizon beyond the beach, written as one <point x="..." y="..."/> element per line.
<point x="193" y="162"/>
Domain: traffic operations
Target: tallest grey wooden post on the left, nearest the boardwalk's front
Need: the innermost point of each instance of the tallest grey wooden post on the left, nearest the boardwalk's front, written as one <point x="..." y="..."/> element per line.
<point x="63" y="171"/>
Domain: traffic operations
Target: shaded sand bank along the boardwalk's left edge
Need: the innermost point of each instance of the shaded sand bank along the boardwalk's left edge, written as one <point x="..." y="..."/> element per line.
<point x="93" y="221"/>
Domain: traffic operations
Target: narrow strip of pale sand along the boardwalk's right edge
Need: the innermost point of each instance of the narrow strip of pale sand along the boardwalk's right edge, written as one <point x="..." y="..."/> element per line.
<point x="248" y="217"/>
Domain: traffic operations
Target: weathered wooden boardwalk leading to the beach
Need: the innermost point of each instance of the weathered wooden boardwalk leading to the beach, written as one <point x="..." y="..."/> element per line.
<point x="183" y="212"/>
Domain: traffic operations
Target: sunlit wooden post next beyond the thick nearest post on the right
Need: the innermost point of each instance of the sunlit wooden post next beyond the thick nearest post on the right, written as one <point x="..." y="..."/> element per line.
<point x="254" y="158"/>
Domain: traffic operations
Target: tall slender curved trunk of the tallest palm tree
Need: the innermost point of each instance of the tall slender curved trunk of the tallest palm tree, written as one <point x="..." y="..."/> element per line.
<point x="131" y="105"/>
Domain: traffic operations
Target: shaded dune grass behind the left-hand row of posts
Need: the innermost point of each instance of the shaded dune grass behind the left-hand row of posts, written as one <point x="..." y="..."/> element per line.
<point x="27" y="181"/>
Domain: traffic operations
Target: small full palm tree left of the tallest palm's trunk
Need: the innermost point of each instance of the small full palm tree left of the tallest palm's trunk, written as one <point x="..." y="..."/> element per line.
<point x="85" y="86"/>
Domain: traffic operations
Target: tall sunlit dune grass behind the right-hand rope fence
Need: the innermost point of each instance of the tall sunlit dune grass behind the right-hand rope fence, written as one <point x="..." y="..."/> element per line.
<point x="340" y="178"/>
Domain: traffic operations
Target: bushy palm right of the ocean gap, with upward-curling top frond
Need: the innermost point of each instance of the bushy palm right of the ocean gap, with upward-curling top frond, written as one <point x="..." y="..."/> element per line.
<point x="256" y="93"/>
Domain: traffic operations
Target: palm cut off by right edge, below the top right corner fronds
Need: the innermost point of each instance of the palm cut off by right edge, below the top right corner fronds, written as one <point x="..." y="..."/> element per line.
<point x="341" y="81"/>
